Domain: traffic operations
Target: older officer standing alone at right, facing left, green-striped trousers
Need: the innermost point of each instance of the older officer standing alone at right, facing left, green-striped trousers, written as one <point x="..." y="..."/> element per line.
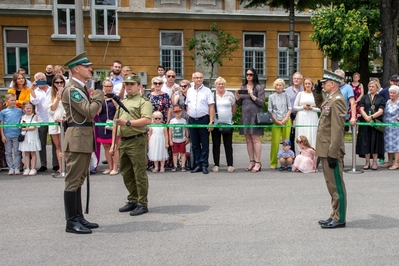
<point x="330" y="148"/>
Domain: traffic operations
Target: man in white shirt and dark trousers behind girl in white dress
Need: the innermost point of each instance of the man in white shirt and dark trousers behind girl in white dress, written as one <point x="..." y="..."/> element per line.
<point x="40" y="97"/>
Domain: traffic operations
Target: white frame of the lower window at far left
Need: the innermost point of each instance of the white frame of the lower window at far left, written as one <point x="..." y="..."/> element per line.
<point x="17" y="47"/>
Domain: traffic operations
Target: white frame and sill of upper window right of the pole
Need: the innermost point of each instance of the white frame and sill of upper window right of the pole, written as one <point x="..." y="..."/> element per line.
<point x="104" y="8"/>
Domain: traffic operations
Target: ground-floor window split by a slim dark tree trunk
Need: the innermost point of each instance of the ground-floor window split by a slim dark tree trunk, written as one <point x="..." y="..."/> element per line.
<point x="284" y="56"/>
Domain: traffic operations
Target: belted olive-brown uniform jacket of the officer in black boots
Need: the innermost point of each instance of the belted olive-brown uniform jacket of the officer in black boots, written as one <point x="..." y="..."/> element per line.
<point x="80" y="139"/>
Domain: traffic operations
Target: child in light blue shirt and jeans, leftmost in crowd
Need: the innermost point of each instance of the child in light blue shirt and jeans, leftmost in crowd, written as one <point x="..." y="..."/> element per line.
<point x="9" y="135"/>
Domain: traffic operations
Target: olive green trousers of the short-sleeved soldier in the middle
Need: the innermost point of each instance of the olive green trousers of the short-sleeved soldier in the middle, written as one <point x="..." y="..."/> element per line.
<point x="133" y="167"/>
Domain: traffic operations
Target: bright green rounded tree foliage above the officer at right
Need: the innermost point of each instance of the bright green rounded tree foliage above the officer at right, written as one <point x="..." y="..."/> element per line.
<point x="339" y="33"/>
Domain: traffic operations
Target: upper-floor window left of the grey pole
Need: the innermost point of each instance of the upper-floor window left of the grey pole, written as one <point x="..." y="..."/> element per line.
<point x="64" y="18"/>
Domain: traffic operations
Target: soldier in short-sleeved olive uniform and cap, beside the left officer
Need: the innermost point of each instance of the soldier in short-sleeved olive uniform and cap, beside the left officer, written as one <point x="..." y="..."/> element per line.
<point x="133" y="145"/>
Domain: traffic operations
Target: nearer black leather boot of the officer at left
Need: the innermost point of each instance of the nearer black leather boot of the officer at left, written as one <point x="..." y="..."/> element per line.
<point x="73" y="225"/>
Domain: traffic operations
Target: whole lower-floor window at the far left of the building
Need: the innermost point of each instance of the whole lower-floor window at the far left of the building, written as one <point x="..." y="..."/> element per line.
<point x="15" y="50"/>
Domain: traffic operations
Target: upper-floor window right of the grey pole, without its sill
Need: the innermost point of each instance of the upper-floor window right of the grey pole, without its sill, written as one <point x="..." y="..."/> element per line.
<point x="104" y="18"/>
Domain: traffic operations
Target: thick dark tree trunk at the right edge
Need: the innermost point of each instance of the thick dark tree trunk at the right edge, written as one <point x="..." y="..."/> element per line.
<point x="389" y="17"/>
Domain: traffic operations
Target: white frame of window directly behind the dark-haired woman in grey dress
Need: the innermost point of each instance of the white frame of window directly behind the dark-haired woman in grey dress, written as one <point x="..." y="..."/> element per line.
<point x="256" y="51"/>
